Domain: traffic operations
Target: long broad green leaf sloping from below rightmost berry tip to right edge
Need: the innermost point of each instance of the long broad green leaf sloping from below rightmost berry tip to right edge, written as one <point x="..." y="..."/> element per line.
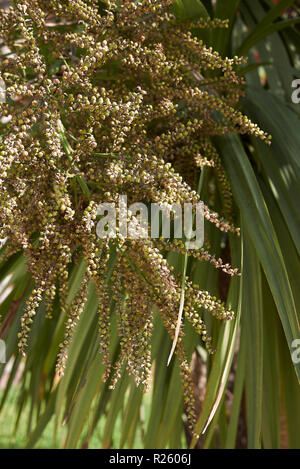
<point x="261" y="231"/>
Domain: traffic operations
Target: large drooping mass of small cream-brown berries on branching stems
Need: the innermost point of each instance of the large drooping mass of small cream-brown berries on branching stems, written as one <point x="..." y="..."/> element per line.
<point x="104" y="99"/>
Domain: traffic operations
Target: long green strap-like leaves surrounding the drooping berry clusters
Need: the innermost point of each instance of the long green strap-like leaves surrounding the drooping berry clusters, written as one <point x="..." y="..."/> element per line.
<point x="251" y="380"/>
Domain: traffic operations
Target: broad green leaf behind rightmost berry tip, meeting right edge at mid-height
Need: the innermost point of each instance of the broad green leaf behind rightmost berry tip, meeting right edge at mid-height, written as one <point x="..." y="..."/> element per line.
<point x="280" y="161"/>
